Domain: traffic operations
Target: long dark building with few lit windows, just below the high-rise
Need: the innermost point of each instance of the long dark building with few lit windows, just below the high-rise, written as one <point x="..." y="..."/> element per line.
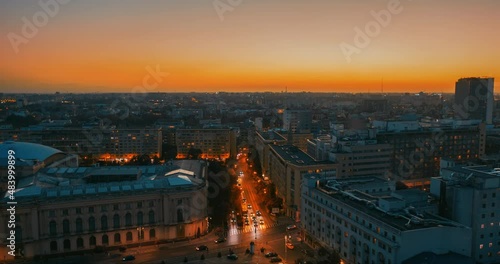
<point x="416" y="152"/>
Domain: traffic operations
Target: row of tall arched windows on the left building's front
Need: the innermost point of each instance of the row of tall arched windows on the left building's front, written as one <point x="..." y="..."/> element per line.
<point x="91" y="223"/>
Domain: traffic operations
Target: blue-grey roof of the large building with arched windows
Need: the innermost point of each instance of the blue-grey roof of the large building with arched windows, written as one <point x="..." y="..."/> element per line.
<point x="51" y="183"/>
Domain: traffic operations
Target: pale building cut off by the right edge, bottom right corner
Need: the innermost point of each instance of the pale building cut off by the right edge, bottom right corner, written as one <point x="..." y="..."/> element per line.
<point x="470" y="195"/>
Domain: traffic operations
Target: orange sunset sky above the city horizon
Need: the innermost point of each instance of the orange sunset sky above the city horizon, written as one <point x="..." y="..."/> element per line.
<point x="260" y="45"/>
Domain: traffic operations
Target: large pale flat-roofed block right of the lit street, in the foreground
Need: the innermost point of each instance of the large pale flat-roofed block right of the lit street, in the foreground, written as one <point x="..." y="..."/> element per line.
<point x="366" y="224"/>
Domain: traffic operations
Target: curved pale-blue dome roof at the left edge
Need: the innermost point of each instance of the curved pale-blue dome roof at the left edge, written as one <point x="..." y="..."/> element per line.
<point x="26" y="151"/>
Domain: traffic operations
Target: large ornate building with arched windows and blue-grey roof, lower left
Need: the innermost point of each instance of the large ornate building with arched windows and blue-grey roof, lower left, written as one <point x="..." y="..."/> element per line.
<point x="70" y="209"/>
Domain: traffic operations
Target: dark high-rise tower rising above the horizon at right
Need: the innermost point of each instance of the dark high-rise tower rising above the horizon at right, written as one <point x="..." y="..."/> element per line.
<point x="474" y="99"/>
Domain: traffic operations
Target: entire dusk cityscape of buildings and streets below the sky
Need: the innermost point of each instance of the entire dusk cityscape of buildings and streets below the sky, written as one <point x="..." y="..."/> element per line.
<point x="251" y="177"/>
